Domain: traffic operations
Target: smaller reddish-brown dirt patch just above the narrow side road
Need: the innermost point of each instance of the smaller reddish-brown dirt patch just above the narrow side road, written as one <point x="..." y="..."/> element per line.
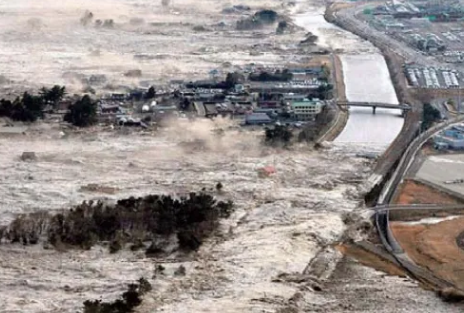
<point x="413" y="192"/>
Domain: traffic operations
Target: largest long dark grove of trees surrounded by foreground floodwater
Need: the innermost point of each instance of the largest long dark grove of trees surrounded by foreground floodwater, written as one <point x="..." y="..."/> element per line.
<point x="131" y="220"/>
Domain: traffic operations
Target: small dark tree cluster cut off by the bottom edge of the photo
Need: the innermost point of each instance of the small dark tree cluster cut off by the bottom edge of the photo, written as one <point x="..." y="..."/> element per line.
<point x="129" y="300"/>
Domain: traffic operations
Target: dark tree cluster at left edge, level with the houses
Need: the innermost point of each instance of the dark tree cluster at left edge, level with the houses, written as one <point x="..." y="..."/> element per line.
<point x="29" y="108"/>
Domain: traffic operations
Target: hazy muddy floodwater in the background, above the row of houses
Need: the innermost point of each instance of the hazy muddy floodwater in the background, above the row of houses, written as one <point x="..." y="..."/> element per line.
<point x="44" y="42"/>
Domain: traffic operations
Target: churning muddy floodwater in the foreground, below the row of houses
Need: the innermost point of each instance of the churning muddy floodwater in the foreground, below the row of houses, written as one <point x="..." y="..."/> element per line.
<point x="280" y="223"/>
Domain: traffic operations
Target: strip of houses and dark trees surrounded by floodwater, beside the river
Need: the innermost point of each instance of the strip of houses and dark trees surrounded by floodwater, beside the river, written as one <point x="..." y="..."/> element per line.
<point x="291" y="97"/>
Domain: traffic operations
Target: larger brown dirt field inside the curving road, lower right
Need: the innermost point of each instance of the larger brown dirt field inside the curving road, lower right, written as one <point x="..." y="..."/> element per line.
<point x="434" y="247"/>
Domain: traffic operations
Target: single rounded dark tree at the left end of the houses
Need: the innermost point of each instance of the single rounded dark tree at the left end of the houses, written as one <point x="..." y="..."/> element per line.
<point x="82" y="113"/>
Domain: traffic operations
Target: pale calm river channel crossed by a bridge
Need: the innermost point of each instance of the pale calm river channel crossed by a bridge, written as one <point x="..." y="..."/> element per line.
<point x="366" y="78"/>
